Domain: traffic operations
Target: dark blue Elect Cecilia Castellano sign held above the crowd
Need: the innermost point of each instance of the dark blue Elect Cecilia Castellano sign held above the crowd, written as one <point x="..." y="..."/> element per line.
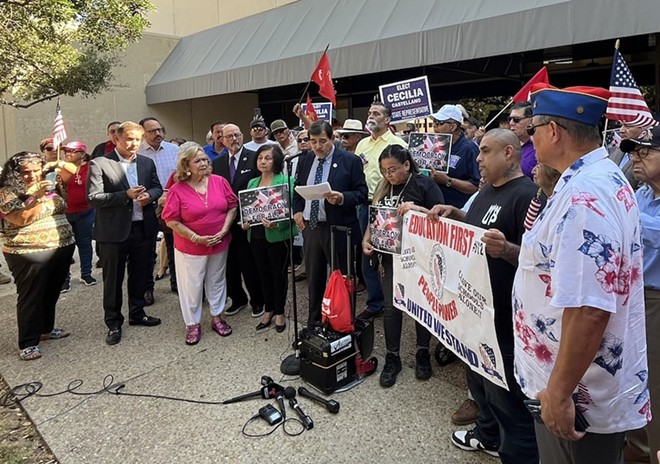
<point x="409" y="99"/>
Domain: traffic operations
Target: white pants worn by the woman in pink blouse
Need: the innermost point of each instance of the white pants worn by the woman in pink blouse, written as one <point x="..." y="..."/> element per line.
<point x="194" y="273"/>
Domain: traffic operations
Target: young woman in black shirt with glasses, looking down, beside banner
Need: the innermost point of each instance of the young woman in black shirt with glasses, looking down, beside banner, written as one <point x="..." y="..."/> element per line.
<point x="403" y="188"/>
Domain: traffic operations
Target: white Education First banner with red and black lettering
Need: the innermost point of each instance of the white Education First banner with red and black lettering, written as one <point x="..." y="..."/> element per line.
<point x="442" y="282"/>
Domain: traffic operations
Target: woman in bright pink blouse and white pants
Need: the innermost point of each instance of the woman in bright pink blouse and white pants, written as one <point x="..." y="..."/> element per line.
<point x="200" y="208"/>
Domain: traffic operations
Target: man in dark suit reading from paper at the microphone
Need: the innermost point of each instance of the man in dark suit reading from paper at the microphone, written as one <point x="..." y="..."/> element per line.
<point x="343" y="171"/>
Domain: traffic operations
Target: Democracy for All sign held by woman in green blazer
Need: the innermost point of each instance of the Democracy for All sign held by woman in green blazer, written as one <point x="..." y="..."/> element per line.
<point x="271" y="203"/>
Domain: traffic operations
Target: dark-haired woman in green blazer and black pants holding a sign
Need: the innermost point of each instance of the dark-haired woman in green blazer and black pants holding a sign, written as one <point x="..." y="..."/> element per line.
<point x="270" y="240"/>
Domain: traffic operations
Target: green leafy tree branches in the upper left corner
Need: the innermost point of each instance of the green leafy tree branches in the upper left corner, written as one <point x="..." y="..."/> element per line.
<point x="64" y="47"/>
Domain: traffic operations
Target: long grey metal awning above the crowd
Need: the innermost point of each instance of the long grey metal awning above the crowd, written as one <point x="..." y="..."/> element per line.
<point x="283" y="45"/>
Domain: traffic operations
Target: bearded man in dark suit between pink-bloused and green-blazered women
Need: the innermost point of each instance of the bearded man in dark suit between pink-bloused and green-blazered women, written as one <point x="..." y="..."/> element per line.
<point x="238" y="166"/>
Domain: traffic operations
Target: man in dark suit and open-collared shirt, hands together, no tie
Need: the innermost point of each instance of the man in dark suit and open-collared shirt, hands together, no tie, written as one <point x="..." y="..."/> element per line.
<point x="123" y="188"/>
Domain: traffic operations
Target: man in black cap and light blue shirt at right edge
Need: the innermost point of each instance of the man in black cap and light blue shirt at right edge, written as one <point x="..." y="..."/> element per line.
<point x="645" y="157"/>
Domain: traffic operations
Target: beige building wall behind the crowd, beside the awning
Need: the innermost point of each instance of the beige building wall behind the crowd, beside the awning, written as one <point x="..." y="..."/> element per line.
<point x="87" y="118"/>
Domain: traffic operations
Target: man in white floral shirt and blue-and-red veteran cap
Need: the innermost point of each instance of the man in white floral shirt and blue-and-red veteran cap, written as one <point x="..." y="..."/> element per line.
<point x="578" y="293"/>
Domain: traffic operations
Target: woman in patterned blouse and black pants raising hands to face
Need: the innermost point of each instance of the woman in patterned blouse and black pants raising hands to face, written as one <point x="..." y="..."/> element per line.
<point x="37" y="244"/>
